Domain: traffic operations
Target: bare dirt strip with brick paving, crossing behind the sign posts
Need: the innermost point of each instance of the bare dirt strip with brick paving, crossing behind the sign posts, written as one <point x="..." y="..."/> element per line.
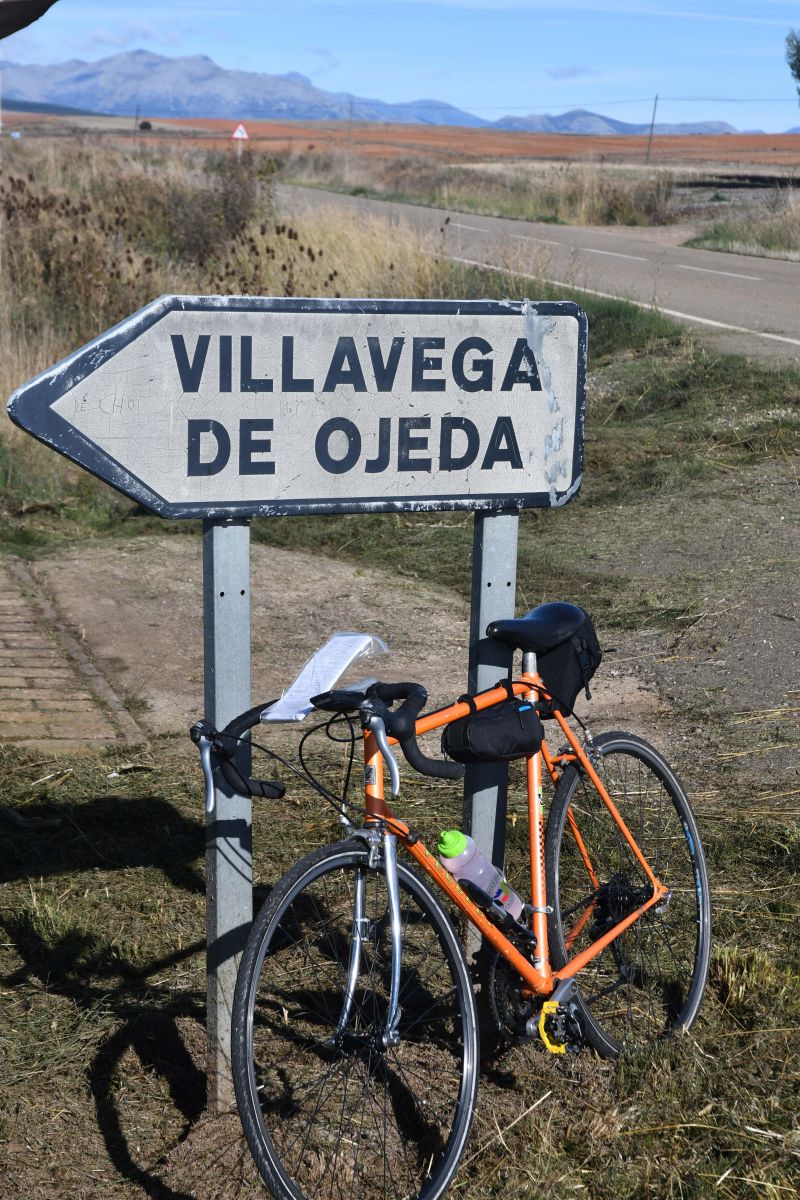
<point x="119" y="627"/>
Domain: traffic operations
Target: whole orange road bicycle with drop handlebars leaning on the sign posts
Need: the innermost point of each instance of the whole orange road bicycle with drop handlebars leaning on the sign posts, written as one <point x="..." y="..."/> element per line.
<point x="356" y="1040"/>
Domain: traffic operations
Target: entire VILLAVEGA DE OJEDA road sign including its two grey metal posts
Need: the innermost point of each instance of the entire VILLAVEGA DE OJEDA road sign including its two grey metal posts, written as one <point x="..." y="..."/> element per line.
<point x="228" y="409"/>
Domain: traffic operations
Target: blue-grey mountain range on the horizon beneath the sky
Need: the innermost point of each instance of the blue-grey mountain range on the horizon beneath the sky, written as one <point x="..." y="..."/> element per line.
<point x="154" y="86"/>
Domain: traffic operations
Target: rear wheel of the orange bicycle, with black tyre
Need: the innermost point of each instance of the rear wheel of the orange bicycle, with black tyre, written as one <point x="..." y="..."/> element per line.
<point x="649" y="982"/>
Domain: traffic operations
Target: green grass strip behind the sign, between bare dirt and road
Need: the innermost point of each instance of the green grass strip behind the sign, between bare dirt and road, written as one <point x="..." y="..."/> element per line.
<point x="663" y="413"/>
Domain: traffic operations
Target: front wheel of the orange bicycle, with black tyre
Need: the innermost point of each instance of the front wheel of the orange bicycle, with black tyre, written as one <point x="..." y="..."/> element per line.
<point x="329" y="1111"/>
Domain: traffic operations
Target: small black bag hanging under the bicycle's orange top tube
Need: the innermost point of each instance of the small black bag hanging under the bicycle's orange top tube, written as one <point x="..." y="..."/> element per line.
<point x="501" y="734"/>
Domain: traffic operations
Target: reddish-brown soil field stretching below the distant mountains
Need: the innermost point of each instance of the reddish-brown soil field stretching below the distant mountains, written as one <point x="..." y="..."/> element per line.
<point x="780" y="151"/>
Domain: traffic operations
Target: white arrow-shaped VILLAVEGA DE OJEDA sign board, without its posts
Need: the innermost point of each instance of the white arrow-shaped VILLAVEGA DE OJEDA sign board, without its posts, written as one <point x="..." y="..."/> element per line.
<point x="234" y="406"/>
